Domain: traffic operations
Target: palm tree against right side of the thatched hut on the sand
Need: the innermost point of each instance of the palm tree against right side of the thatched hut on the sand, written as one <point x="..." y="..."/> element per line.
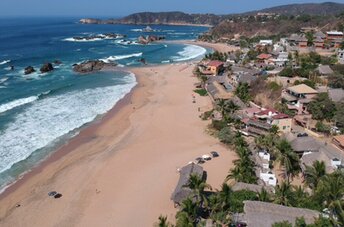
<point x="198" y="186"/>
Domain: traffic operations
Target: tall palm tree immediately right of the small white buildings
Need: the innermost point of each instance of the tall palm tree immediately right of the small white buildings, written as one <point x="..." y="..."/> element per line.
<point x="288" y="158"/>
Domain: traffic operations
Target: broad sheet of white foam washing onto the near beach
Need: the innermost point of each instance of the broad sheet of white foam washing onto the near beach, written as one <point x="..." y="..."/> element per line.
<point x="48" y="119"/>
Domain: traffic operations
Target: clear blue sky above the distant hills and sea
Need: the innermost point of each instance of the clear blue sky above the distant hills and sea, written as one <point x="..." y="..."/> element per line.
<point x="114" y="8"/>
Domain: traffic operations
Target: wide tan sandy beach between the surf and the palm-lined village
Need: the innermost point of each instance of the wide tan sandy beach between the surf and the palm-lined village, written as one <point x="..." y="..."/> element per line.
<point x="122" y="170"/>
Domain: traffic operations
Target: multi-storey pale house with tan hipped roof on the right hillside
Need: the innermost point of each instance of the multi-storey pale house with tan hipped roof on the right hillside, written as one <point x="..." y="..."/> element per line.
<point x="297" y="97"/>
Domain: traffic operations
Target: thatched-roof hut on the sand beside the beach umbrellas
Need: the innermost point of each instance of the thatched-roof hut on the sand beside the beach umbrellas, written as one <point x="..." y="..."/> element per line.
<point x="181" y="192"/>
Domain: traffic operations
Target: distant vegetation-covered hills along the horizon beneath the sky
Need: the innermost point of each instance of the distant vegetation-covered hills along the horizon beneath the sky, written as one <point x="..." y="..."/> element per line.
<point x="310" y="9"/>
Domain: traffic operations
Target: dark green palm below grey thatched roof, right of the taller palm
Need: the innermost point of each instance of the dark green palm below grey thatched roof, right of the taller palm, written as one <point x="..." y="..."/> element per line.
<point x="314" y="173"/>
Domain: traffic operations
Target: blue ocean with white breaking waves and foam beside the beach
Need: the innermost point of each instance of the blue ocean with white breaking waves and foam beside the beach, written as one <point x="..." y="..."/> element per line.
<point x="39" y="111"/>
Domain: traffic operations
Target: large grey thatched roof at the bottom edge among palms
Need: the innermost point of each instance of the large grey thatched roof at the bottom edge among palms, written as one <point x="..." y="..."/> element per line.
<point x="263" y="214"/>
